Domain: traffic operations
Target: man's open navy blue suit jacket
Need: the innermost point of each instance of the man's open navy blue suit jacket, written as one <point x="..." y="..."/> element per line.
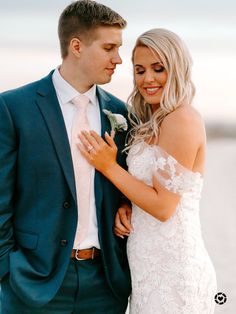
<point x="38" y="211"/>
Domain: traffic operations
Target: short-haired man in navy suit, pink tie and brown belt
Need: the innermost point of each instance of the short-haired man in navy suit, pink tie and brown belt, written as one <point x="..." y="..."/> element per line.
<point x="57" y="254"/>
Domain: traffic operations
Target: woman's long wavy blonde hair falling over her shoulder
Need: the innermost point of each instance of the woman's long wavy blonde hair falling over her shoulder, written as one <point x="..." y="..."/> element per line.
<point x="178" y="89"/>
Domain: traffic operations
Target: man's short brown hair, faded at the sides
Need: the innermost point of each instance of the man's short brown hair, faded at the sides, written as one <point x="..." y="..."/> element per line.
<point x="81" y="18"/>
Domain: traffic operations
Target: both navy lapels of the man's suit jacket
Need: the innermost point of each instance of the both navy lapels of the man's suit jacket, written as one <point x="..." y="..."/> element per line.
<point x="49" y="106"/>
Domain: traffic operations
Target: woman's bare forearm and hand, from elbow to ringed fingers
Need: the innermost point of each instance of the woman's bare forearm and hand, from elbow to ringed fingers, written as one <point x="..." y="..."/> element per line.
<point x="157" y="201"/>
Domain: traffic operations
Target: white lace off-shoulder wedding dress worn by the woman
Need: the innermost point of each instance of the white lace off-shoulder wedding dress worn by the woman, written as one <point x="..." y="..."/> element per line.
<point x="170" y="268"/>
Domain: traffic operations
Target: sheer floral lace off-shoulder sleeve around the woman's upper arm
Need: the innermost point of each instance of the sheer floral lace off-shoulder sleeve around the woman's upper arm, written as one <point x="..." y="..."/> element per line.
<point x="172" y="175"/>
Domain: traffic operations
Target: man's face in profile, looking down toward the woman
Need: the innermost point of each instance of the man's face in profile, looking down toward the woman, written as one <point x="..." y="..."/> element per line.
<point x="99" y="58"/>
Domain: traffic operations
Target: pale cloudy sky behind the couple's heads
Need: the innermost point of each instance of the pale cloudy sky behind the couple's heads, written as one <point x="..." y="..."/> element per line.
<point x="29" y="46"/>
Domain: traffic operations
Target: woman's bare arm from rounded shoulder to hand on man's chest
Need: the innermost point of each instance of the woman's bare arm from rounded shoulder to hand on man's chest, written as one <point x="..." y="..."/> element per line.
<point x="182" y="136"/>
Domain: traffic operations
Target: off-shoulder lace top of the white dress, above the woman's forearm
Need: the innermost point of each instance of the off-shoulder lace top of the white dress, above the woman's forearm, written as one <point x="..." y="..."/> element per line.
<point x="145" y="161"/>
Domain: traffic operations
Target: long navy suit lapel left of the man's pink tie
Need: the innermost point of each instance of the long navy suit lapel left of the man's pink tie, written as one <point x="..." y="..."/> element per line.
<point x="49" y="106"/>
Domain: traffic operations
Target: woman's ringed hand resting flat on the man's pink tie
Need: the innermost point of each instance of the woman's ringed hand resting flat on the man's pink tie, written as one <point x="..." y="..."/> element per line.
<point x="99" y="153"/>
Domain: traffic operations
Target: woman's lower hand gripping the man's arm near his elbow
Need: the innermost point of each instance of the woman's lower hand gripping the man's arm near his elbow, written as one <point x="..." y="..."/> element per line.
<point x="123" y="225"/>
